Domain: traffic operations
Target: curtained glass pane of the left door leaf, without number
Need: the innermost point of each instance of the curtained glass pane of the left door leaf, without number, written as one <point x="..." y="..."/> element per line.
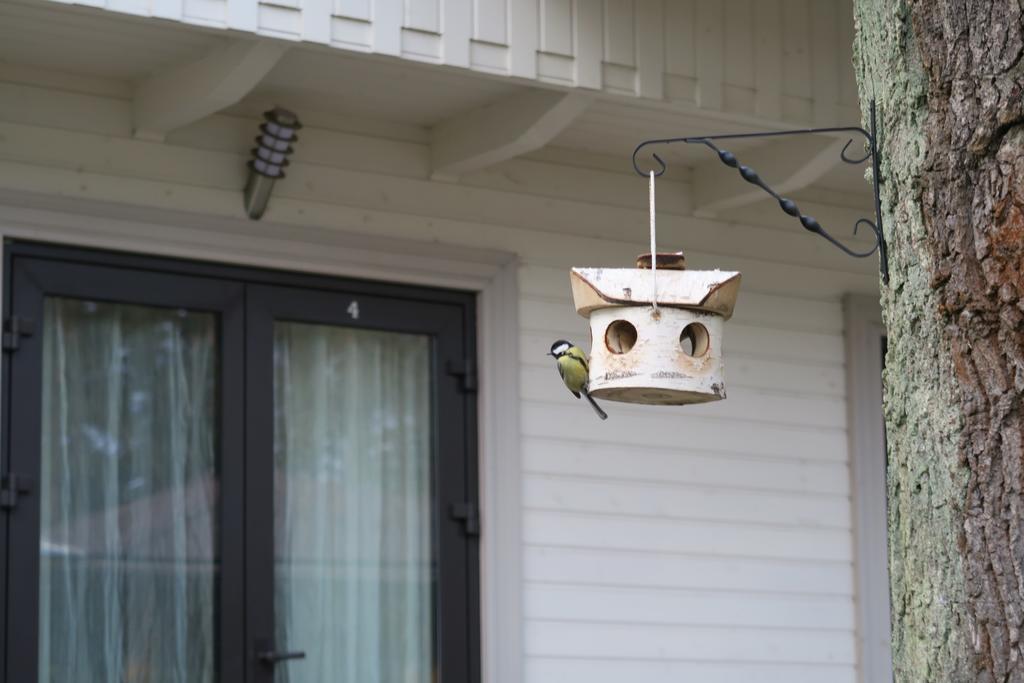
<point x="130" y="492"/>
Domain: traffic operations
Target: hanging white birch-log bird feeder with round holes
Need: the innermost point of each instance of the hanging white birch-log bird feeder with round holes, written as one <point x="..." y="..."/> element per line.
<point x="656" y="333"/>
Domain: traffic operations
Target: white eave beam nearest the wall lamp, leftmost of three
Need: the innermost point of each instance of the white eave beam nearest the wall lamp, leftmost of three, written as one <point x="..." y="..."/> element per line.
<point x="188" y="94"/>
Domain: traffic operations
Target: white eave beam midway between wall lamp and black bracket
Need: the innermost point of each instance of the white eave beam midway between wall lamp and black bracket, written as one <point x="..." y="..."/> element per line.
<point x="502" y="131"/>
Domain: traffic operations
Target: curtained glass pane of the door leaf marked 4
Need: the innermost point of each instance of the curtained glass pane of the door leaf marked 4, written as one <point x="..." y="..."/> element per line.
<point x="355" y="569"/>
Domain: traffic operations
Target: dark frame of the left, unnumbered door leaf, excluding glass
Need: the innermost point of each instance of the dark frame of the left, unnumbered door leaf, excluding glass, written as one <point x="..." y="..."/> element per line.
<point x="31" y="280"/>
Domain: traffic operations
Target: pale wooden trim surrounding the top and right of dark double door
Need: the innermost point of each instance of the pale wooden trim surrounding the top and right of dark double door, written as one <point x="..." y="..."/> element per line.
<point x="493" y="275"/>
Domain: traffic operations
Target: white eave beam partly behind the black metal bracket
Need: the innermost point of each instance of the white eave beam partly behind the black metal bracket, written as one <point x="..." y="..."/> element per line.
<point x="787" y="165"/>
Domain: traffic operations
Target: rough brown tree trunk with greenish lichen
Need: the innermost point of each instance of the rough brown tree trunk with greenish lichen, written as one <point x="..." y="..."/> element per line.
<point x="950" y="86"/>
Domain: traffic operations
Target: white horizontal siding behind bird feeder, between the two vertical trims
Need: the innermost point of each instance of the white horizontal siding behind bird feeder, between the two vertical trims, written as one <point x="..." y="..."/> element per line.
<point x="703" y="544"/>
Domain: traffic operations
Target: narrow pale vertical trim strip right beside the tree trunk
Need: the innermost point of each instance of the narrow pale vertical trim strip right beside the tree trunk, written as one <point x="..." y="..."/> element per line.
<point x="865" y="331"/>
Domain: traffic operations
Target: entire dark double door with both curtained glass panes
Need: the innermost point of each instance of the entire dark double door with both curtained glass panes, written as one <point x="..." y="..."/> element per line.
<point x="236" y="476"/>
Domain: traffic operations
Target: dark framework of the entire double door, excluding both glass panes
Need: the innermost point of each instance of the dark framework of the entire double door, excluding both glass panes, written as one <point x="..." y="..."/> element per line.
<point x="244" y="298"/>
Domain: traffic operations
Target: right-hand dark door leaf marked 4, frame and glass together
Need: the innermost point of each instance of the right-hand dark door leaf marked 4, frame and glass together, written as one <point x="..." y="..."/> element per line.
<point x="346" y="430"/>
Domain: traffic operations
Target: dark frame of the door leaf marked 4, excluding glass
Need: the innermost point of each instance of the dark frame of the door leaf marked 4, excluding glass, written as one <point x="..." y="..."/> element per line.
<point x="266" y="305"/>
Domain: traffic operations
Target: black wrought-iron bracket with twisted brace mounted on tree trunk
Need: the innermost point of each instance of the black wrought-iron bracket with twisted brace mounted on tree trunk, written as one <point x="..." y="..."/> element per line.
<point x="788" y="205"/>
